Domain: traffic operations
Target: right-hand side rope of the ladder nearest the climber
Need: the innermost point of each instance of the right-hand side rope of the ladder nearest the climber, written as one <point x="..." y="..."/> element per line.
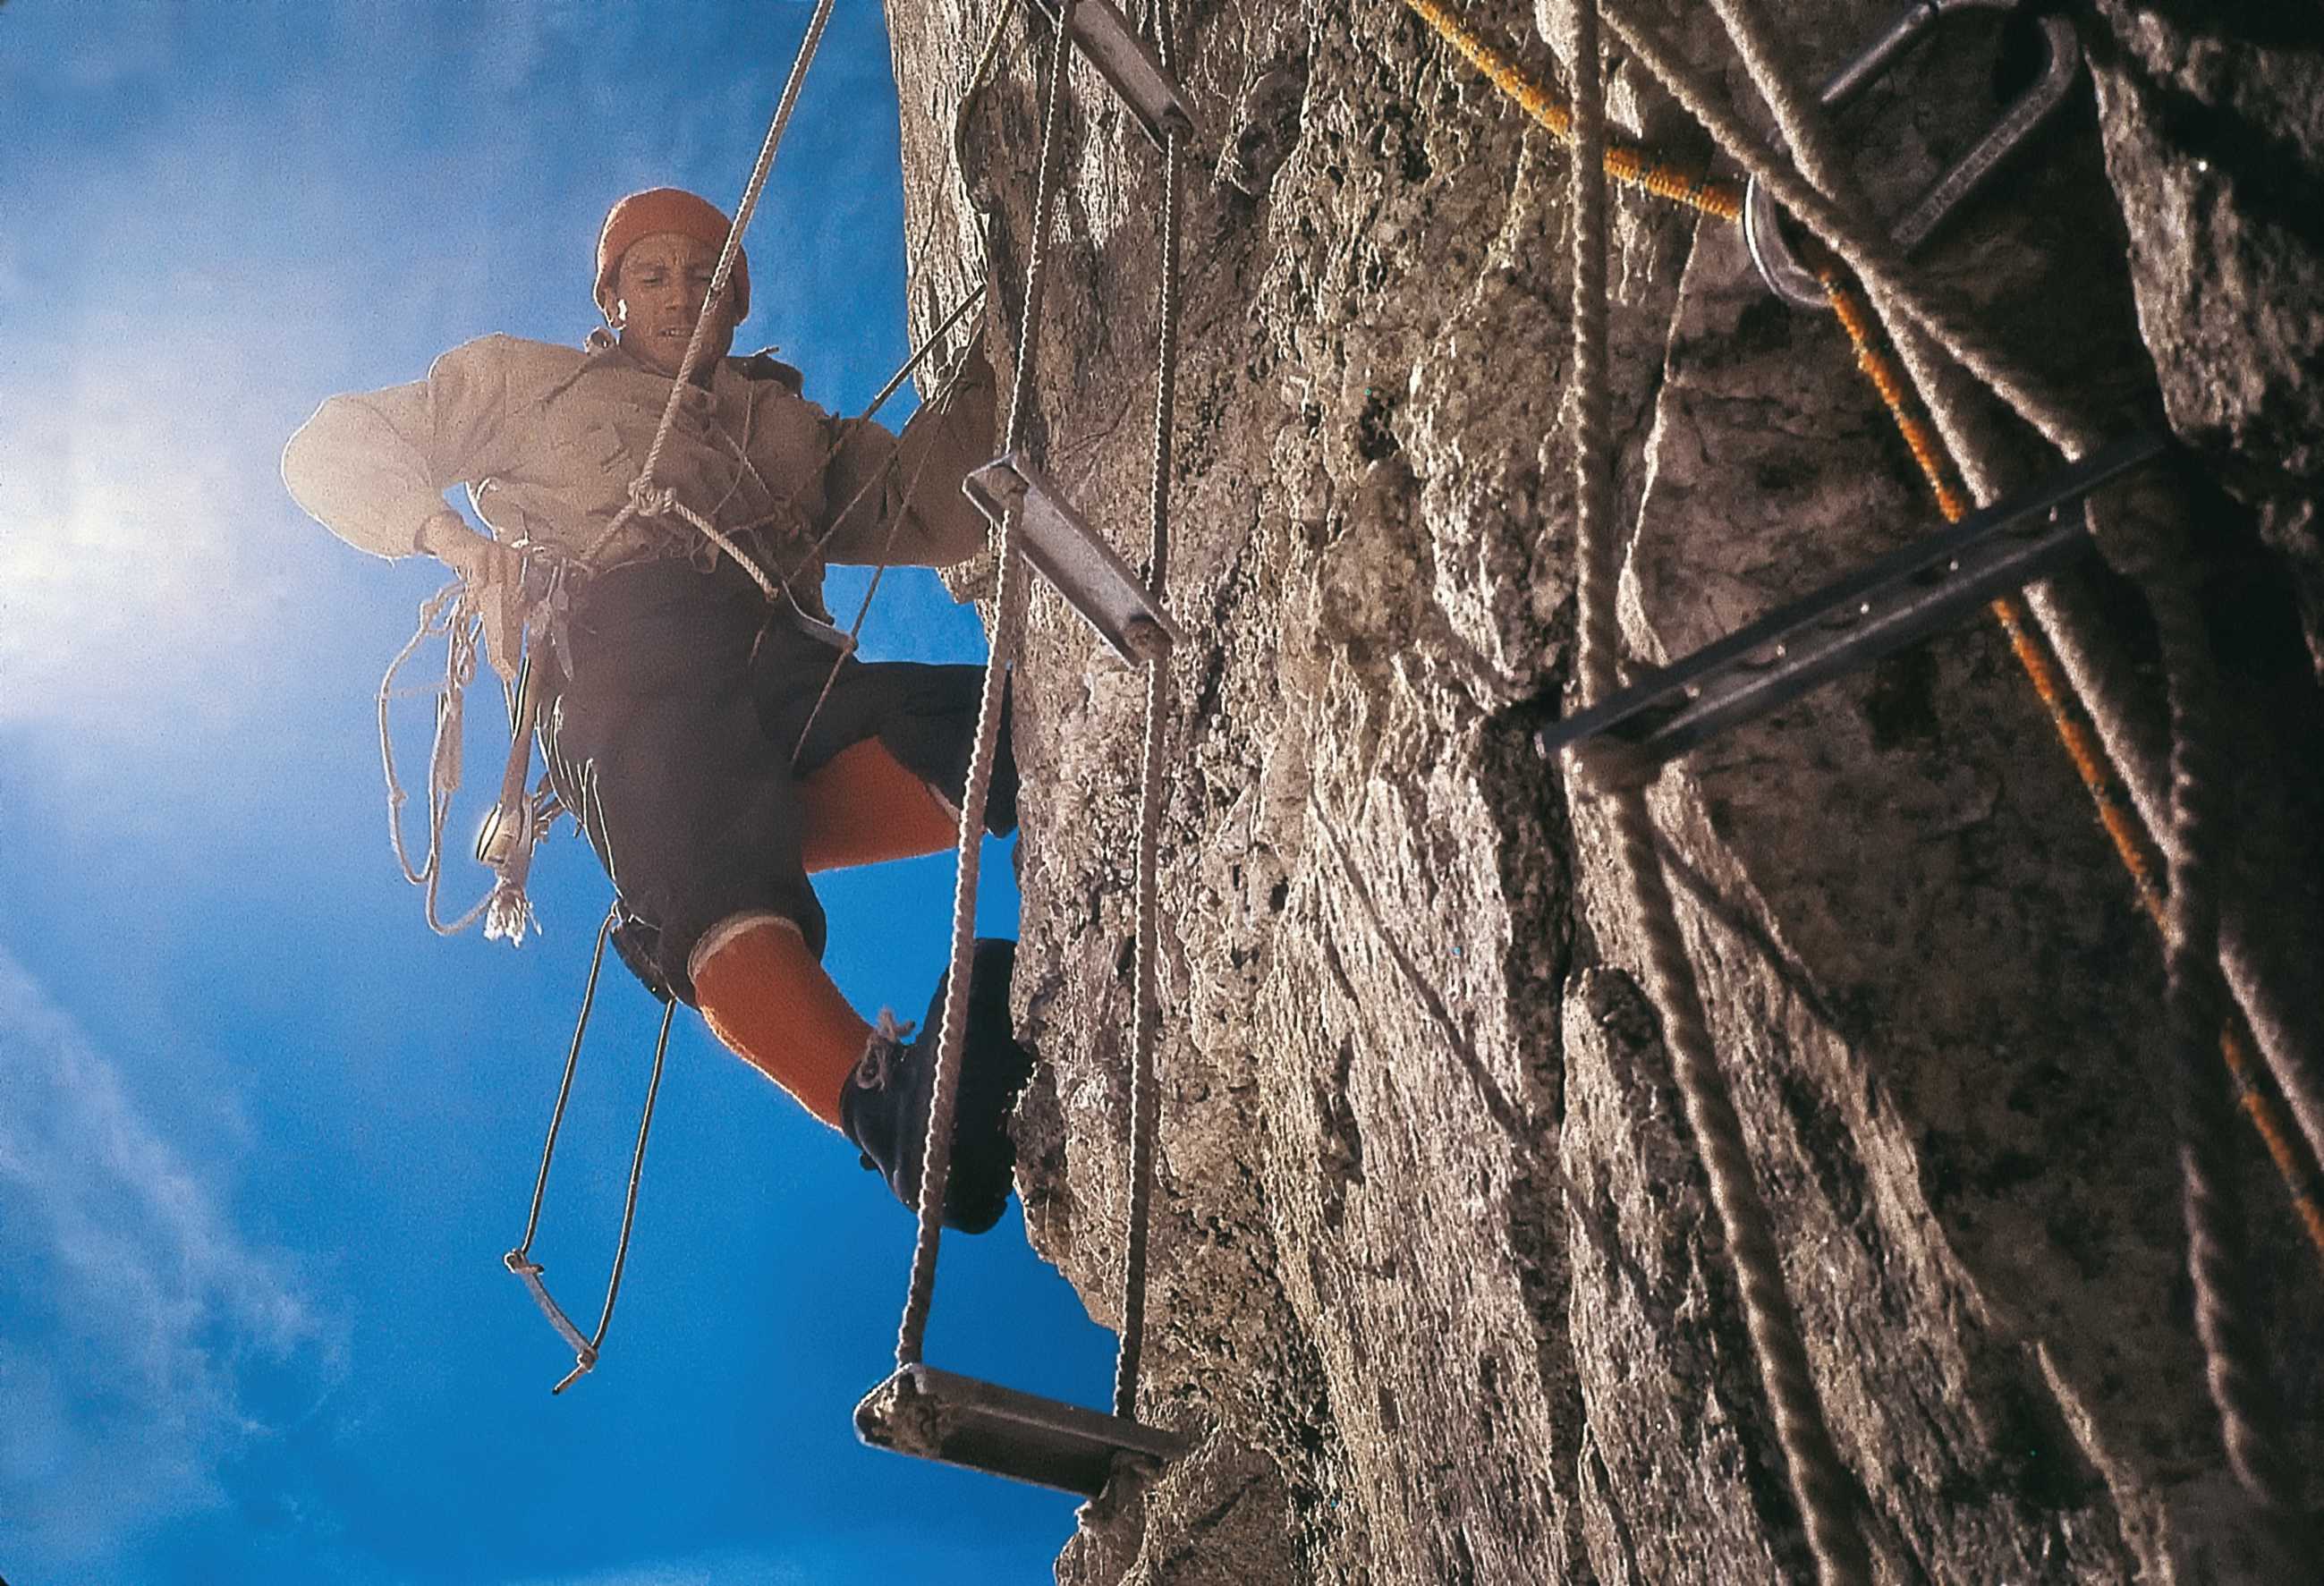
<point x="1149" y="848"/>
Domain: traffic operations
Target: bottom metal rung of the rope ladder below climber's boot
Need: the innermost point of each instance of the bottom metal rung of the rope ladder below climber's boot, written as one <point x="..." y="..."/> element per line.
<point x="1005" y="1434"/>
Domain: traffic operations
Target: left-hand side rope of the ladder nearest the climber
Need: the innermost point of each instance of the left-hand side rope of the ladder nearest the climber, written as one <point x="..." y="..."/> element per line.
<point x="938" y="1155"/>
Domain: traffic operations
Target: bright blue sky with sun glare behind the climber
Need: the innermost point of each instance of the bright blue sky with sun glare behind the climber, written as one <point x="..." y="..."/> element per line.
<point x="264" y="1141"/>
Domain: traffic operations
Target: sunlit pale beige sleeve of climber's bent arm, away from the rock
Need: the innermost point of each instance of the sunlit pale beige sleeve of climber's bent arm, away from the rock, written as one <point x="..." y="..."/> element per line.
<point x="373" y="466"/>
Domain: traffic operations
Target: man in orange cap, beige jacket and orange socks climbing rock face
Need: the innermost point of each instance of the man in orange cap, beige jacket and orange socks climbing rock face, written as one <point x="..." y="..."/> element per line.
<point x="677" y="703"/>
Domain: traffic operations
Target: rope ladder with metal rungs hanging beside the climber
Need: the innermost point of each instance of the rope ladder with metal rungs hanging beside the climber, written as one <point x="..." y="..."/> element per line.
<point x="921" y="1410"/>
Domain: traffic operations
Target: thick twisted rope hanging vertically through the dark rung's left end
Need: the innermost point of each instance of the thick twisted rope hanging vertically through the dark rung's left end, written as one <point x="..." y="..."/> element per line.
<point x="1821" y="1483"/>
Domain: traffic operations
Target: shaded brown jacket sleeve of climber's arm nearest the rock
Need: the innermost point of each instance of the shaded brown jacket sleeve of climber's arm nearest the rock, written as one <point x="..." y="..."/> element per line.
<point x="940" y="445"/>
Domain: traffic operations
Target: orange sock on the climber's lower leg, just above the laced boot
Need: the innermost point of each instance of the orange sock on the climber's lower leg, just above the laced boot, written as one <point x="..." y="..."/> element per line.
<point x="766" y="996"/>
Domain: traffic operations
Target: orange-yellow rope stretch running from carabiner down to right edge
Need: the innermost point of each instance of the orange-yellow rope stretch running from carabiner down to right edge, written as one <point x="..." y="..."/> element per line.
<point x="2079" y="748"/>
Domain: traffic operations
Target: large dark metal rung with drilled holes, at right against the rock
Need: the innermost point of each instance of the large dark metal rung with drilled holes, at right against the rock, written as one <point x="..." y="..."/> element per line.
<point x="1851" y="624"/>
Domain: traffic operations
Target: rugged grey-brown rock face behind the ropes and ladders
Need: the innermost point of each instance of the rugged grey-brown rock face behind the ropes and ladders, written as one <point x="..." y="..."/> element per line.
<point x="1437" y="1287"/>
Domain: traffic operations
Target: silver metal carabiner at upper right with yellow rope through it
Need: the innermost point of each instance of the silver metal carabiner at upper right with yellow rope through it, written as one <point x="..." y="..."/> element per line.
<point x="1779" y="266"/>
